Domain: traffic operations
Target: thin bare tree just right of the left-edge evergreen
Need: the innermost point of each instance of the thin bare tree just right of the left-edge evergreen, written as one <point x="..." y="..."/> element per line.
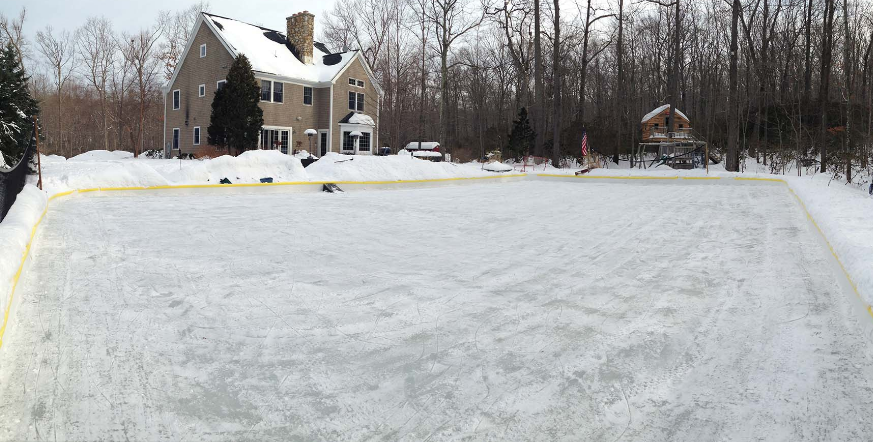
<point x="59" y="55"/>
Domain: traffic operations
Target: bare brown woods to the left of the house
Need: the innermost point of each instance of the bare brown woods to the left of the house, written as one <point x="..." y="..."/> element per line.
<point x="98" y="87"/>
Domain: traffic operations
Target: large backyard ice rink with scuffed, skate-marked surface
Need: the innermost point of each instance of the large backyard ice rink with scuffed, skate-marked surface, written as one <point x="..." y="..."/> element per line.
<point x="519" y="311"/>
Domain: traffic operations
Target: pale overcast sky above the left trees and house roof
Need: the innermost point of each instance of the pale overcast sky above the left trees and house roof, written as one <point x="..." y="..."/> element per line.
<point x="131" y="16"/>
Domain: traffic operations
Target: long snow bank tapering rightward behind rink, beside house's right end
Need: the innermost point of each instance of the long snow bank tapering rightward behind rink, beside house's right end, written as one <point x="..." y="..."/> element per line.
<point x="336" y="167"/>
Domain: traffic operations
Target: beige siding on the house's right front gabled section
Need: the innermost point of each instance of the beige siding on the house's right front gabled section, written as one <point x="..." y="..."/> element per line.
<point x="341" y="91"/>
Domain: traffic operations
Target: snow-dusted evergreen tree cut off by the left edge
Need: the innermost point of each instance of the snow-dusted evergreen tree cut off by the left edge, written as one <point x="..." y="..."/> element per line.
<point x="17" y="107"/>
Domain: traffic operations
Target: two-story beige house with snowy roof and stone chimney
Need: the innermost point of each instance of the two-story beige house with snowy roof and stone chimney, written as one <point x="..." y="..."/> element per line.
<point x="303" y="86"/>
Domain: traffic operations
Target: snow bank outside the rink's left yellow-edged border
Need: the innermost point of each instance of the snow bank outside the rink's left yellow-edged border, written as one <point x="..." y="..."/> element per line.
<point x="15" y="233"/>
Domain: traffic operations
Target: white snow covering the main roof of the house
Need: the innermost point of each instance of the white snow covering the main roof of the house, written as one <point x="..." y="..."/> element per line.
<point x="269" y="53"/>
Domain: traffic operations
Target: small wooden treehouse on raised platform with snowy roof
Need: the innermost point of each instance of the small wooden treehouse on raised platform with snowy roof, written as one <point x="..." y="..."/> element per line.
<point x="677" y="145"/>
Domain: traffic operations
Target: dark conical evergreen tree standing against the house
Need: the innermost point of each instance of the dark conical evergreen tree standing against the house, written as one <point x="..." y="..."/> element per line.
<point x="236" y="116"/>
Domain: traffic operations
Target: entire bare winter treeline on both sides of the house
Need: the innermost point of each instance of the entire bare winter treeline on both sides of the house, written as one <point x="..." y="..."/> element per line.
<point x="459" y="71"/>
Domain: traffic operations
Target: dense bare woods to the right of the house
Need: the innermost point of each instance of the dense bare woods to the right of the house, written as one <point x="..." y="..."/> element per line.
<point x="465" y="68"/>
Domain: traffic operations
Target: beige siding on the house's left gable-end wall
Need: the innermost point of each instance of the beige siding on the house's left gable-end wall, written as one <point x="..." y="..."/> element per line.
<point x="194" y="72"/>
